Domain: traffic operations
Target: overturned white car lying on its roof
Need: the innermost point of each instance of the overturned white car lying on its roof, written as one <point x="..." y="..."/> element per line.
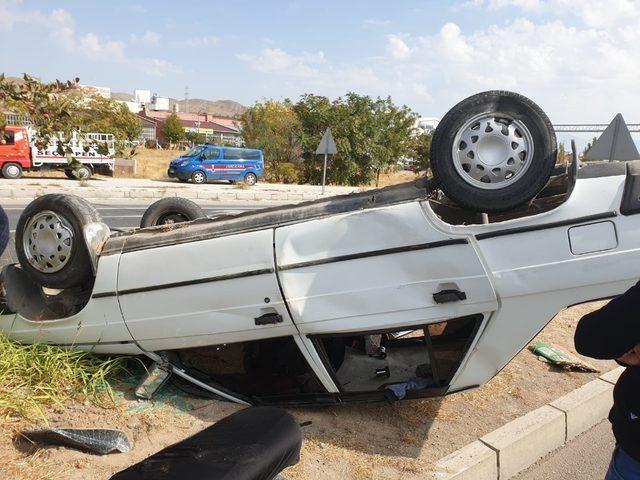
<point x="379" y="295"/>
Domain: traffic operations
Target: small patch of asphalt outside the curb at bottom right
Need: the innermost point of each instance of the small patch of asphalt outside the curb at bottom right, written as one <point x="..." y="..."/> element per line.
<point x="585" y="458"/>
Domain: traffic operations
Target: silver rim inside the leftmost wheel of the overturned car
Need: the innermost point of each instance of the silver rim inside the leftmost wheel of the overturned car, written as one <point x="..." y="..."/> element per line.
<point x="47" y="242"/>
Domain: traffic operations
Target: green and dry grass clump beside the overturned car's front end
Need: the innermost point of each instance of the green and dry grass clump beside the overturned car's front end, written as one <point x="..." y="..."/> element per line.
<point x="34" y="377"/>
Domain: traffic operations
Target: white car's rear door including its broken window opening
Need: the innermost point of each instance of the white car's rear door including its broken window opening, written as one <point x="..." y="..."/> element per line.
<point x="388" y="278"/>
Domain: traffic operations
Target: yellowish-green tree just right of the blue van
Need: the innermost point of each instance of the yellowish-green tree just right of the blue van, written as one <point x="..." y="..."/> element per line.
<point x="274" y="127"/>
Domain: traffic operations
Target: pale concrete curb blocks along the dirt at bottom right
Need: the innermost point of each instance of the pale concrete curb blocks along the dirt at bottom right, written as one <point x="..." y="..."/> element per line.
<point x="512" y="448"/>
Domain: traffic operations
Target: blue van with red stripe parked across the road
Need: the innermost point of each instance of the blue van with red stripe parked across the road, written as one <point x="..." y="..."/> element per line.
<point x="211" y="162"/>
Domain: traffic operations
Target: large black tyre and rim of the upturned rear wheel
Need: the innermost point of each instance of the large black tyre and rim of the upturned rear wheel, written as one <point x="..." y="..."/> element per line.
<point x="493" y="151"/>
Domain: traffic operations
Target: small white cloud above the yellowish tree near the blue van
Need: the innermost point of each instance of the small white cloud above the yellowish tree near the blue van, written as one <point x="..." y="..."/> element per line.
<point x="276" y="60"/>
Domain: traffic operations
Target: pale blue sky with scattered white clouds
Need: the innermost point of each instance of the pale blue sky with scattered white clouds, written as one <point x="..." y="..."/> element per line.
<point x="579" y="60"/>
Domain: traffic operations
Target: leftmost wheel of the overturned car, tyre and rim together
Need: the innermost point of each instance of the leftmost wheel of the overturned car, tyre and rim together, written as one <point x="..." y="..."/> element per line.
<point x="50" y="240"/>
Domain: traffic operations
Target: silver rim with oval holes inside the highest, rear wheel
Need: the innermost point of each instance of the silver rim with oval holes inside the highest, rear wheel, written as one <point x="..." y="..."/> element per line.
<point x="492" y="150"/>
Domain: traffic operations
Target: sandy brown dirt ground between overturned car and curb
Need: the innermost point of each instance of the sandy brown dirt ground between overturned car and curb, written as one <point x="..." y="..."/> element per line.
<point x="349" y="442"/>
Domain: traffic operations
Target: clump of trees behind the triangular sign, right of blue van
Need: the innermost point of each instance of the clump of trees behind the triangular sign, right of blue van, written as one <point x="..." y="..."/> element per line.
<point x="372" y="135"/>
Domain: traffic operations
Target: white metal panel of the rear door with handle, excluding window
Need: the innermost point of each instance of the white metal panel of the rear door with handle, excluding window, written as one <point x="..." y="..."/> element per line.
<point x="378" y="268"/>
